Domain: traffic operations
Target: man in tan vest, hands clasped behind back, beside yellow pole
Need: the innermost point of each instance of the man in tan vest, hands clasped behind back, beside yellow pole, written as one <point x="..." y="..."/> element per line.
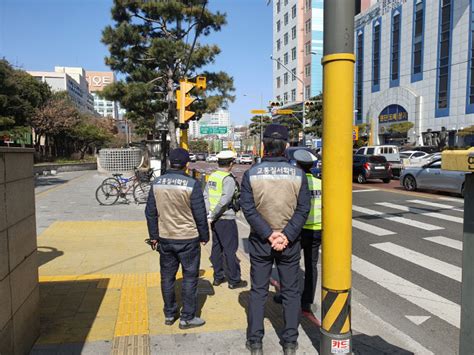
<point x="275" y="200"/>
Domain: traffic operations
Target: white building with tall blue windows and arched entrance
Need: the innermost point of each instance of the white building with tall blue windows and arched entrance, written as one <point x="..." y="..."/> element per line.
<point x="414" y="63"/>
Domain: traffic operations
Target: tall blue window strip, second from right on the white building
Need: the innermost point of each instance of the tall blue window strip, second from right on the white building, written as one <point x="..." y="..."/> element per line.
<point x="444" y="52"/>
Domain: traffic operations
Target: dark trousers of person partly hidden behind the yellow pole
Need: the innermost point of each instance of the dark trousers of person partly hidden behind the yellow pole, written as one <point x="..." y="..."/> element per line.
<point x="310" y="243"/>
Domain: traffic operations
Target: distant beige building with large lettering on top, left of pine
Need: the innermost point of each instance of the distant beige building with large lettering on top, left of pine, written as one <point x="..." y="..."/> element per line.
<point x="97" y="81"/>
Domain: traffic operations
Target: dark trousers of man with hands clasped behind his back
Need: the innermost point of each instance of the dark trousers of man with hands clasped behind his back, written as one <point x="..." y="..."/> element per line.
<point x="262" y="258"/>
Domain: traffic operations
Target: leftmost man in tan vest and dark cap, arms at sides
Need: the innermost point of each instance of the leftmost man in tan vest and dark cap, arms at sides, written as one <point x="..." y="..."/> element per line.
<point x="177" y="222"/>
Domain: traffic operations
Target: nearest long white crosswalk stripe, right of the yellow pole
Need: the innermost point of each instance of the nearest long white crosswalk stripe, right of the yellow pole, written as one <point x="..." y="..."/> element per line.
<point x="425" y="299"/>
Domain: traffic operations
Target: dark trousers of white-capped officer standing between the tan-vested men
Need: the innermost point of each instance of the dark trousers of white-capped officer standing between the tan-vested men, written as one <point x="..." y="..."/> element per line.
<point x="225" y="242"/>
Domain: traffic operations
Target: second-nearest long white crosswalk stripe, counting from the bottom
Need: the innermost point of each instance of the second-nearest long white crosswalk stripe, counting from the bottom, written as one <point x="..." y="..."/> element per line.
<point x="441" y="267"/>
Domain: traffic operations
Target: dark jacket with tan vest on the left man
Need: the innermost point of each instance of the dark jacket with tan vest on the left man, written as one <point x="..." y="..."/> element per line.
<point x="175" y="210"/>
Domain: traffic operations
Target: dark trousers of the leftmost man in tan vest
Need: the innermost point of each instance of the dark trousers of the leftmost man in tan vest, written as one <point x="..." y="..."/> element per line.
<point x="171" y="256"/>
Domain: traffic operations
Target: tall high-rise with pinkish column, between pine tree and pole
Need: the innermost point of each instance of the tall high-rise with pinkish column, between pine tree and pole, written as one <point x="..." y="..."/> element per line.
<point x="297" y="49"/>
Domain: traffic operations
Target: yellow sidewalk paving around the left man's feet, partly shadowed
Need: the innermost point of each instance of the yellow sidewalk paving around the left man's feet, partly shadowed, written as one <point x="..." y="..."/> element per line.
<point x="105" y="284"/>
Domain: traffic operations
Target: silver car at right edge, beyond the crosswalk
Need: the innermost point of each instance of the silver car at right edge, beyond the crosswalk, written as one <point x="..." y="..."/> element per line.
<point x="431" y="177"/>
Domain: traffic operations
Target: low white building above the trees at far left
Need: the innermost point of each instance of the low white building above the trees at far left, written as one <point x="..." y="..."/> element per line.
<point x="71" y="80"/>
